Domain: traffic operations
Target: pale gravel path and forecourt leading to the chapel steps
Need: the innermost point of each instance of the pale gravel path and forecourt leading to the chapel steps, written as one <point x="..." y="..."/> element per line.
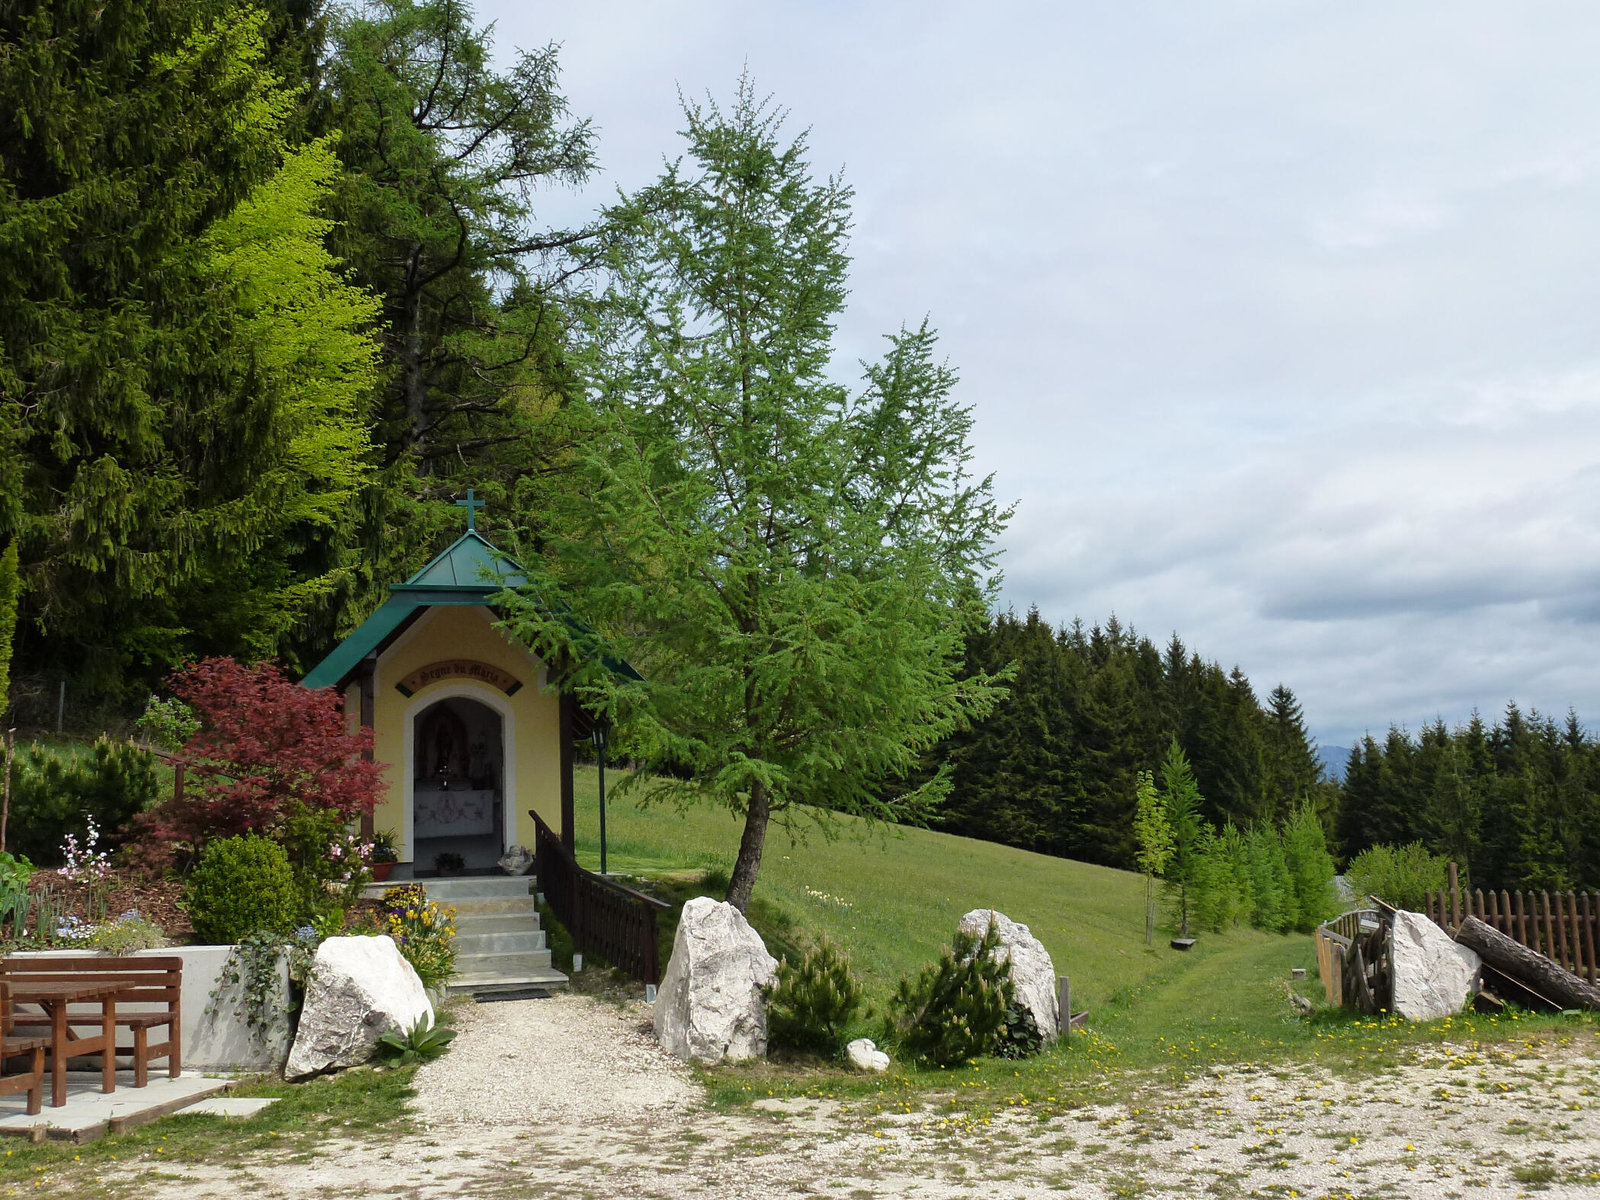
<point x="570" y="1097"/>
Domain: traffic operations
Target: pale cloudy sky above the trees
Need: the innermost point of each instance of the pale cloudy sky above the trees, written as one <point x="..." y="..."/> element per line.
<point x="1278" y="321"/>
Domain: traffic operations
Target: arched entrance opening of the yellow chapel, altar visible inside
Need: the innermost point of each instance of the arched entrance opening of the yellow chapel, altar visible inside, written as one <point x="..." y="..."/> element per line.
<point x="458" y="788"/>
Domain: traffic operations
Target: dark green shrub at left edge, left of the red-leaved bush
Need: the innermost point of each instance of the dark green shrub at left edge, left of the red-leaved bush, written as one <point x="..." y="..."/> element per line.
<point x="54" y="793"/>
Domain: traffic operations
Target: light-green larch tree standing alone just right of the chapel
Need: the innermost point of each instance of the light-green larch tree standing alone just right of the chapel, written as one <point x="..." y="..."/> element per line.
<point x="793" y="566"/>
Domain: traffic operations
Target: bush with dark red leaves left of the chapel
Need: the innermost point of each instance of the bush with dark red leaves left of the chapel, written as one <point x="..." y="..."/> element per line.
<point x="266" y="746"/>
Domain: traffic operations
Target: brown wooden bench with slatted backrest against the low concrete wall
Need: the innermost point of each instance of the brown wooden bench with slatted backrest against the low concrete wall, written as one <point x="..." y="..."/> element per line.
<point x="150" y="996"/>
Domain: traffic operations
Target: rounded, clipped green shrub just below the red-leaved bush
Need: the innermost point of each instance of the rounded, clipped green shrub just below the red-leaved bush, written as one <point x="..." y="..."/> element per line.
<point x="242" y="886"/>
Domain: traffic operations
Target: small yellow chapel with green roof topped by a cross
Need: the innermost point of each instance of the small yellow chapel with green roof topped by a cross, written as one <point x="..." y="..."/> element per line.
<point x="468" y="724"/>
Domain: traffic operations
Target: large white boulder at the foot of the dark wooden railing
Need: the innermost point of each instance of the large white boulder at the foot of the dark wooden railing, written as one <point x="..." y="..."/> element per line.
<point x="710" y="1006"/>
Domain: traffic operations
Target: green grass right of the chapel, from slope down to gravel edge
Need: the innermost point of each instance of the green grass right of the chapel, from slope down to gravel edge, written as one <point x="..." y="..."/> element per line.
<point x="892" y="900"/>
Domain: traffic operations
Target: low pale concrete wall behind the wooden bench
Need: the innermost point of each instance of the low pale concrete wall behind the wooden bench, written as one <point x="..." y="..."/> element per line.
<point x="215" y="1036"/>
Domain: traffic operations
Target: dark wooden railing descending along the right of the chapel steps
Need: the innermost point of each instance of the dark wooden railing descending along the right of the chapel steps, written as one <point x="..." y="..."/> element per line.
<point x="606" y="919"/>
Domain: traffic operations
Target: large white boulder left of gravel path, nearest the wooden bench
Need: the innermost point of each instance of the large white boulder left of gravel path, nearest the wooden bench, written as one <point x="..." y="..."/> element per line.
<point x="361" y="990"/>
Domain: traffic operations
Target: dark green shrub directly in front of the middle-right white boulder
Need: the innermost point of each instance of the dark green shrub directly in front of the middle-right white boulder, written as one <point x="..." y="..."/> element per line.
<point x="958" y="1009"/>
